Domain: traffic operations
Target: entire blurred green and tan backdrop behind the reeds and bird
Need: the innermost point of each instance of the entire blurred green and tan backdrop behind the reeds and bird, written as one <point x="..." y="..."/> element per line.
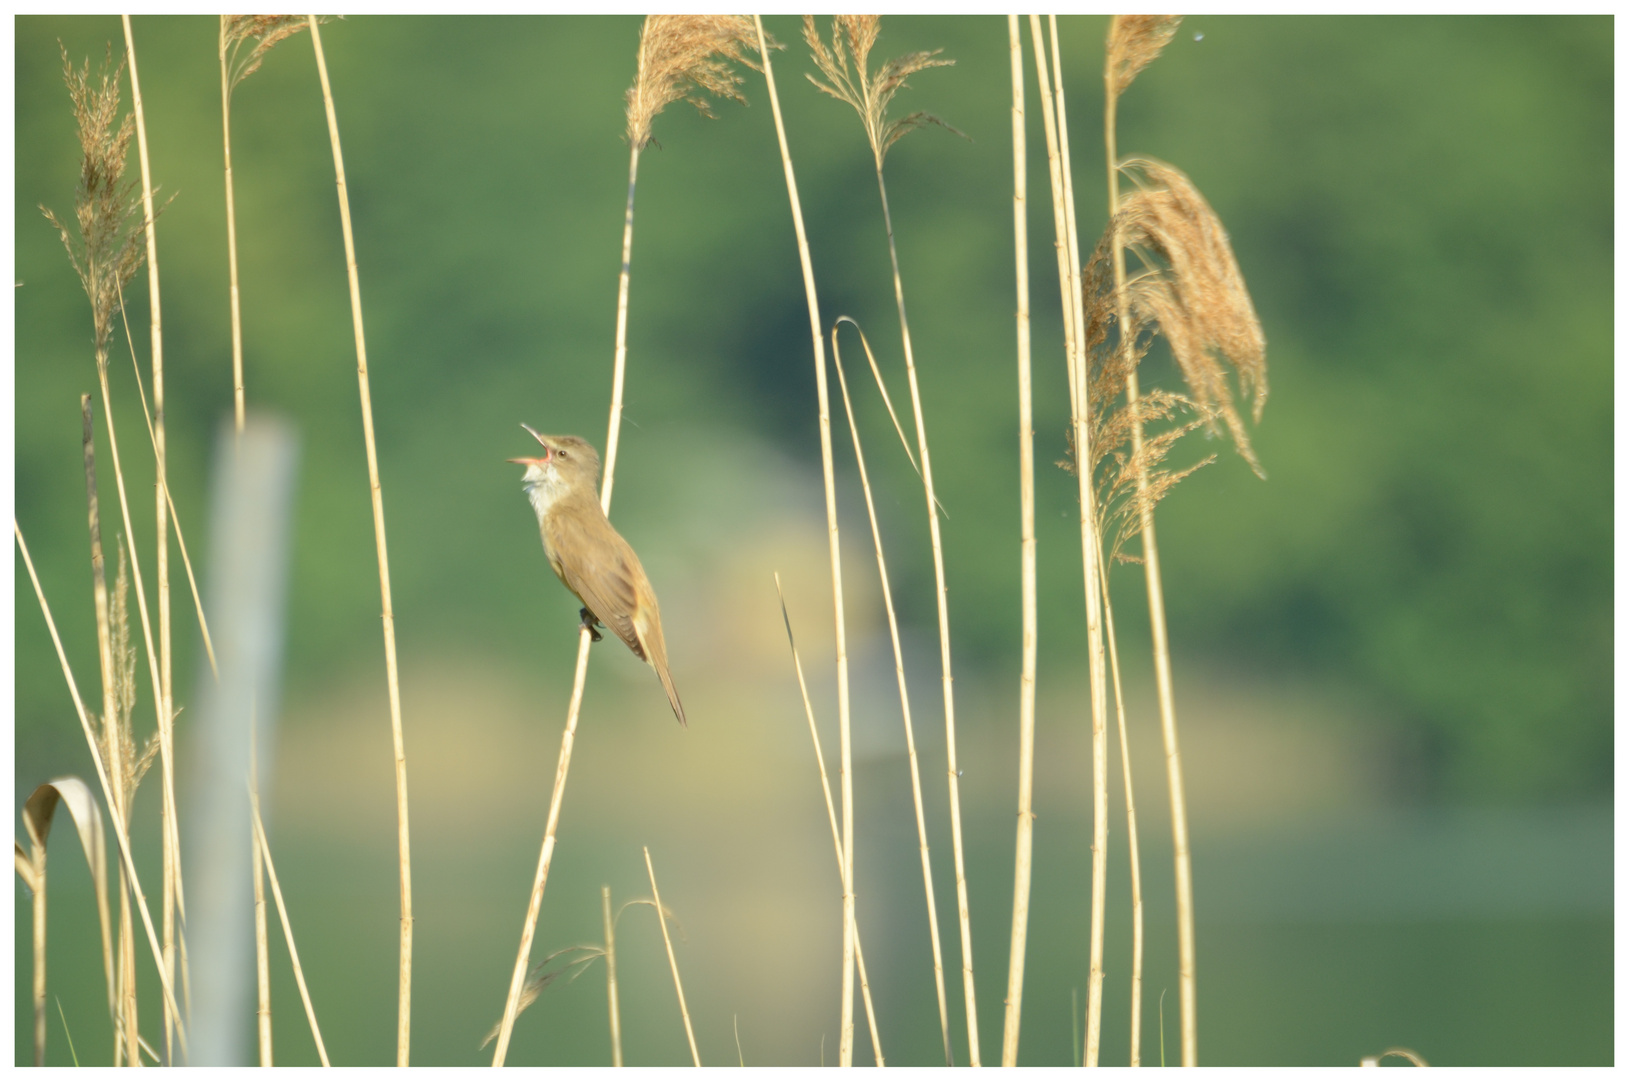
<point x="1394" y="658"/>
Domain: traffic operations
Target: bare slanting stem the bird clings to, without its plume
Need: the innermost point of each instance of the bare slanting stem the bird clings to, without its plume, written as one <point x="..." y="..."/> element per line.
<point x="580" y="681"/>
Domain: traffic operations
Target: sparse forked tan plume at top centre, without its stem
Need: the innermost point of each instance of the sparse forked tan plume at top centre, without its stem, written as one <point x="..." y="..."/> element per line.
<point x="868" y="94"/>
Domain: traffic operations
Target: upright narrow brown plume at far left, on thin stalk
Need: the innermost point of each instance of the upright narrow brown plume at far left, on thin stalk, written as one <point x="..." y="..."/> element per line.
<point x="108" y="206"/>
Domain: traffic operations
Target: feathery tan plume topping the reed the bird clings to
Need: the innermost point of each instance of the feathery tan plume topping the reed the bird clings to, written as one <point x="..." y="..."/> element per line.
<point x="687" y="58"/>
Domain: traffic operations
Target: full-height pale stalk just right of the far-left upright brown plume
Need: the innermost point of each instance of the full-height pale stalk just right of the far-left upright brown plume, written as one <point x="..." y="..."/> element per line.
<point x="164" y="689"/>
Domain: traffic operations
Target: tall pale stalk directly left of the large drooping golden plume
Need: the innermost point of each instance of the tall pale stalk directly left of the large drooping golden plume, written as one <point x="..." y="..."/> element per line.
<point x="1073" y="303"/>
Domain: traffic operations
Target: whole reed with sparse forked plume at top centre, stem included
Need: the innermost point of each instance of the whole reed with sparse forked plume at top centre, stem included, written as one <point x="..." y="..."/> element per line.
<point x="848" y="77"/>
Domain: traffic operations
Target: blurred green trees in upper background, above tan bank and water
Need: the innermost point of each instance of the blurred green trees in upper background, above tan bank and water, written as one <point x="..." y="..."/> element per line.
<point x="1423" y="211"/>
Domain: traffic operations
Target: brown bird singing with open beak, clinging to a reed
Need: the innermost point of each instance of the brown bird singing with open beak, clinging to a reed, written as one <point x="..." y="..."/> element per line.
<point x="590" y="555"/>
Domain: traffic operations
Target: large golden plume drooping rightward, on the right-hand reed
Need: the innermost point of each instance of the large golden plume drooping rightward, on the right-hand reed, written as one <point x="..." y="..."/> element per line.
<point x="1192" y="292"/>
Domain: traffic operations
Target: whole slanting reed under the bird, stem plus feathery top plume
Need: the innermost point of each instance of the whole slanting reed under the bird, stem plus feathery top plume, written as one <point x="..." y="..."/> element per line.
<point x="679" y="58"/>
